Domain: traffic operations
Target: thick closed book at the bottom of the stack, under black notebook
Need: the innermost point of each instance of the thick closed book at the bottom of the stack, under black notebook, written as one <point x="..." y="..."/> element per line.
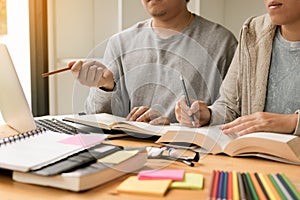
<point x="95" y="174"/>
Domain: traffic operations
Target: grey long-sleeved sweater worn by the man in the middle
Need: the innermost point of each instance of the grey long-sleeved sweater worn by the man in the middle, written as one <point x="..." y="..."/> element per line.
<point x="147" y="67"/>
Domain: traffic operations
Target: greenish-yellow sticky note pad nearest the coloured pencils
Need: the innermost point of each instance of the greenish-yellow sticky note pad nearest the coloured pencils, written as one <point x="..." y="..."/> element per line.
<point x="191" y="181"/>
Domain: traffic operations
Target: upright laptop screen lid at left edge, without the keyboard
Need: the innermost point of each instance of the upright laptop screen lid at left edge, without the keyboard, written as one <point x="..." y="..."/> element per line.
<point x="13" y="104"/>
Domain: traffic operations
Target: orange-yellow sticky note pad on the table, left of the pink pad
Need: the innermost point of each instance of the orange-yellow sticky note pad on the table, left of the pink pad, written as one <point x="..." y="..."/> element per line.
<point x="146" y="187"/>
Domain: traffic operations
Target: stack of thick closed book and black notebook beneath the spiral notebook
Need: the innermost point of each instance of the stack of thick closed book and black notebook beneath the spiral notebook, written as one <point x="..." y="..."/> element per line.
<point x="93" y="167"/>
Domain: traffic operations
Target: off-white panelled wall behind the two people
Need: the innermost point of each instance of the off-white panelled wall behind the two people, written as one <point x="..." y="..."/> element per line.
<point x="76" y="27"/>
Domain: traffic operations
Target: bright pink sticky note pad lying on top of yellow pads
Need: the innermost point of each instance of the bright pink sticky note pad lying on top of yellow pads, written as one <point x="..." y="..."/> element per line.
<point x="161" y="174"/>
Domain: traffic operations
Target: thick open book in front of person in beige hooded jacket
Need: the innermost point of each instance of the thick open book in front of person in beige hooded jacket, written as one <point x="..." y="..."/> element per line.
<point x="274" y="146"/>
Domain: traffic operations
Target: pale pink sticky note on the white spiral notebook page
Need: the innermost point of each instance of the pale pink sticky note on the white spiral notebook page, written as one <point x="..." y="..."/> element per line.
<point x="84" y="140"/>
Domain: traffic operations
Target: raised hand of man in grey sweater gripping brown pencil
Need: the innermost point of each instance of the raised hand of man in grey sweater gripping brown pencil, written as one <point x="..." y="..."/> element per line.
<point x="92" y="74"/>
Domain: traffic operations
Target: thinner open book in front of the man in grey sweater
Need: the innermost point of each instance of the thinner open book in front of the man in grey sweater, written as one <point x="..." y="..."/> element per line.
<point x="112" y="122"/>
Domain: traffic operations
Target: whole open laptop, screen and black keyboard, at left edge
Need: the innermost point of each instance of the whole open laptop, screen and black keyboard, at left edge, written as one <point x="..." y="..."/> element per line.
<point x="16" y="112"/>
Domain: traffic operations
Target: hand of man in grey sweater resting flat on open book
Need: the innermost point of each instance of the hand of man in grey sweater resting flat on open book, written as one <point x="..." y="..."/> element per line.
<point x="146" y="114"/>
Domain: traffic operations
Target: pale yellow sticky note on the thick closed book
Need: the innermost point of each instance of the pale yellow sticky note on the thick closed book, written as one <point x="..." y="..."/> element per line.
<point x="118" y="157"/>
